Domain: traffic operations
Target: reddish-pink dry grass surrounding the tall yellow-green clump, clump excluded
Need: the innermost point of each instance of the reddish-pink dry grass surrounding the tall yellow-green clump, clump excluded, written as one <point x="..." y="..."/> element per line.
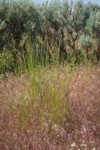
<point x="80" y="131"/>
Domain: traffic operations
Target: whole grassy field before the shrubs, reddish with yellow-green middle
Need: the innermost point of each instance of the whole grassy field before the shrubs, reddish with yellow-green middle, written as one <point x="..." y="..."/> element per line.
<point x="79" y="129"/>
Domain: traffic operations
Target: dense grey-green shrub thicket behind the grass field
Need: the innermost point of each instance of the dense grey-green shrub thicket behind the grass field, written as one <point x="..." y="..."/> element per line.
<point x="64" y="30"/>
